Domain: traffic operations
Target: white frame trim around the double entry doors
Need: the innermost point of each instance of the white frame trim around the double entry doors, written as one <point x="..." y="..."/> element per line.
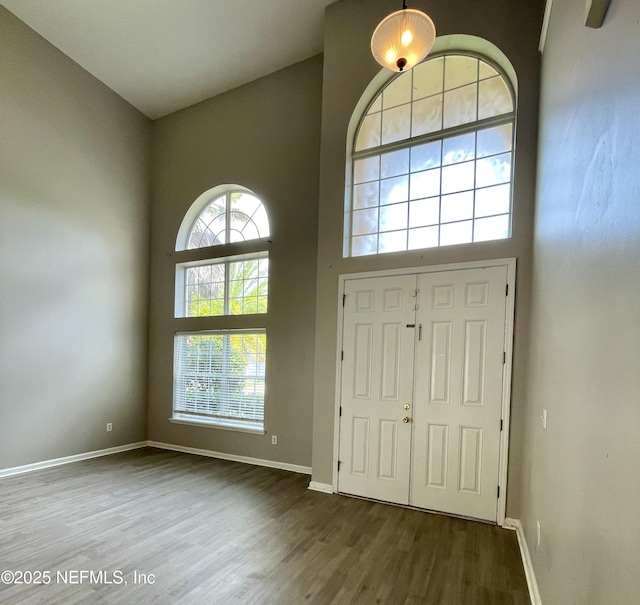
<point x="510" y="264"/>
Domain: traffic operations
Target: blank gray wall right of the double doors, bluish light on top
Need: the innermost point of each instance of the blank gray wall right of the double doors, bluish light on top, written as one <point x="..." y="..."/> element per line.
<point x="581" y="477"/>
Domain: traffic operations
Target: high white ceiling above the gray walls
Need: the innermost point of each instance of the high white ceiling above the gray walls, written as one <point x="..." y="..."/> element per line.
<point x="163" y="55"/>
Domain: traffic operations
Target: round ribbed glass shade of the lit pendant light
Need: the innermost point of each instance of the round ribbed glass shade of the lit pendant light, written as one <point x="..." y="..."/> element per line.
<point x="403" y="39"/>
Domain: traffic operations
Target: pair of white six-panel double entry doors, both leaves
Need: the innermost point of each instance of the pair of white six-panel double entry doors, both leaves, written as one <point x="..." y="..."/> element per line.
<point x="421" y="393"/>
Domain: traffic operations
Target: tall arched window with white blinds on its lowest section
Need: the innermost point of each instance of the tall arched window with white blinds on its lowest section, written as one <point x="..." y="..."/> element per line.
<point x="220" y="370"/>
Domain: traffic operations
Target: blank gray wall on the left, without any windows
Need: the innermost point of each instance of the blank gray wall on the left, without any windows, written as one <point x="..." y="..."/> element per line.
<point x="73" y="256"/>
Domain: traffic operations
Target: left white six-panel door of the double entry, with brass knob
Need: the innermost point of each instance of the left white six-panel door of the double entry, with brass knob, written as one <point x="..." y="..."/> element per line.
<point x="377" y="380"/>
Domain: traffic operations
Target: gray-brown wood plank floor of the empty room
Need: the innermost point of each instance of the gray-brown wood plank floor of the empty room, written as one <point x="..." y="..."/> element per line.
<point x="218" y="532"/>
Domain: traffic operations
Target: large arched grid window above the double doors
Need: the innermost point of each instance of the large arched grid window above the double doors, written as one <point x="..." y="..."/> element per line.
<point x="432" y="159"/>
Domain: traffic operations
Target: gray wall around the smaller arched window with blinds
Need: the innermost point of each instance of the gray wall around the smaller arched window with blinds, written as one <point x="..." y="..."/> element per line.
<point x="264" y="136"/>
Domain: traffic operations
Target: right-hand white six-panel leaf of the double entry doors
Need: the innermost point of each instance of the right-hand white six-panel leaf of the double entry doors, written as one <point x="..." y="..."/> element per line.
<point x="458" y="391"/>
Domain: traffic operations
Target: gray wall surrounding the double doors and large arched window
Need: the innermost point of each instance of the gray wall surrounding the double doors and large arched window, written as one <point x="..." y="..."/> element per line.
<point x="349" y="68"/>
